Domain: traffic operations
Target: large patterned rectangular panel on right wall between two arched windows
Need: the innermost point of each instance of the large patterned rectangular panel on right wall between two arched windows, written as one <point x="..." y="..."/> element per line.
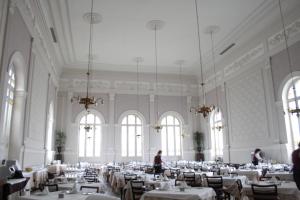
<point x="247" y="108"/>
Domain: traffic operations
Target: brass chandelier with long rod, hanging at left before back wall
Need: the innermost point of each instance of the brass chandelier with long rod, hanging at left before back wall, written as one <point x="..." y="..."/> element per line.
<point x="87" y="100"/>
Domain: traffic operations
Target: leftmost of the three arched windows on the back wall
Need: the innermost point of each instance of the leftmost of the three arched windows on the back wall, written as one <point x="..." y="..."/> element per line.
<point x="89" y="136"/>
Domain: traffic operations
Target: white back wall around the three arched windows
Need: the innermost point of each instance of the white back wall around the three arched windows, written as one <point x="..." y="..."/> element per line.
<point x="119" y="93"/>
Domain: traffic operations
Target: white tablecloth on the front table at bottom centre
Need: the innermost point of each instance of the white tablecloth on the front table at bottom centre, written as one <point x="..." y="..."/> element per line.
<point x="188" y="194"/>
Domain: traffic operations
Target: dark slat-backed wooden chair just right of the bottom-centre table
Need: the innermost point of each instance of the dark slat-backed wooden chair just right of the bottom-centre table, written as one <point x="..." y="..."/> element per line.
<point x="216" y="182"/>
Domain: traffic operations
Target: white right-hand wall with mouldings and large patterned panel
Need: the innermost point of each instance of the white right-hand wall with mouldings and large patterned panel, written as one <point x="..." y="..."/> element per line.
<point x="254" y="117"/>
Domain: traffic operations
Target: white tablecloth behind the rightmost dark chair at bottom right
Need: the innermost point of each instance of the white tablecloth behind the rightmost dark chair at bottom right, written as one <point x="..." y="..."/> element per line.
<point x="286" y="191"/>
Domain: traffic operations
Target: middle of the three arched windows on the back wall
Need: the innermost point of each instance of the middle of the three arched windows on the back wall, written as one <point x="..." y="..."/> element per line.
<point x="131" y="136"/>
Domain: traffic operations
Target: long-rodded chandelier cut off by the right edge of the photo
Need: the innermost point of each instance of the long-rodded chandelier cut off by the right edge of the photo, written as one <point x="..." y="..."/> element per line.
<point x="296" y="110"/>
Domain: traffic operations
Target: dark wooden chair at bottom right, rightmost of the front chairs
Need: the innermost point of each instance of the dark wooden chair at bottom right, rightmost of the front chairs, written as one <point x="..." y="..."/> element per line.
<point x="264" y="192"/>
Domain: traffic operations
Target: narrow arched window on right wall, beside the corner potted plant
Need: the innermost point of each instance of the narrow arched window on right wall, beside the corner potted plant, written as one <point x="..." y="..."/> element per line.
<point x="216" y="126"/>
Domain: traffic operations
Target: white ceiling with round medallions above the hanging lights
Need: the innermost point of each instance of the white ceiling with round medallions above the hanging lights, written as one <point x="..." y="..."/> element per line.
<point x="122" y="34"/>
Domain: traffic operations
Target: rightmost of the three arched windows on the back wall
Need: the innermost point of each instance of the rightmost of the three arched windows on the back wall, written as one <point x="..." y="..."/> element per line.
<point x="171" y="136"/>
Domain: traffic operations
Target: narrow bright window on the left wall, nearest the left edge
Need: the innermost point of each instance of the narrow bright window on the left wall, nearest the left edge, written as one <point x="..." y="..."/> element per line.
<point x="9" y="101"/>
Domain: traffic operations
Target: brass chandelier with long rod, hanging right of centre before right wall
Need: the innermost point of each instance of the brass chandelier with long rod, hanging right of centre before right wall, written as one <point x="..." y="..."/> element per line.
<point x="201" y="109"/>
